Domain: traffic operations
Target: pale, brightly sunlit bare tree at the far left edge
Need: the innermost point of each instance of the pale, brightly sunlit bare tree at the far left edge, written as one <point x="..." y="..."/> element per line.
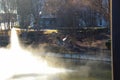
<point x="8" y="7"/>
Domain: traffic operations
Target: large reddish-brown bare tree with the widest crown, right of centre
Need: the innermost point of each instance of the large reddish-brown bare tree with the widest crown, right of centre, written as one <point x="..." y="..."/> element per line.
<point x="83" y="13"/>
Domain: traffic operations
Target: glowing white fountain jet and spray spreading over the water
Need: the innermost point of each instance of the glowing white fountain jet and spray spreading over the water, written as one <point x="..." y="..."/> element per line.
<point x="16" y="61"/>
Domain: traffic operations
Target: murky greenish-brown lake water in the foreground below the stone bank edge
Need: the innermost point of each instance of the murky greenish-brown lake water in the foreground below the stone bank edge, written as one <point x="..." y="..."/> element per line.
<point x="77" y="70"/>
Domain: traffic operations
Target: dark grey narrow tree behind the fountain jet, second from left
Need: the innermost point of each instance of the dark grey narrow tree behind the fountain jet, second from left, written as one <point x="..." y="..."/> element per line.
<point x="24" y="10"/>
